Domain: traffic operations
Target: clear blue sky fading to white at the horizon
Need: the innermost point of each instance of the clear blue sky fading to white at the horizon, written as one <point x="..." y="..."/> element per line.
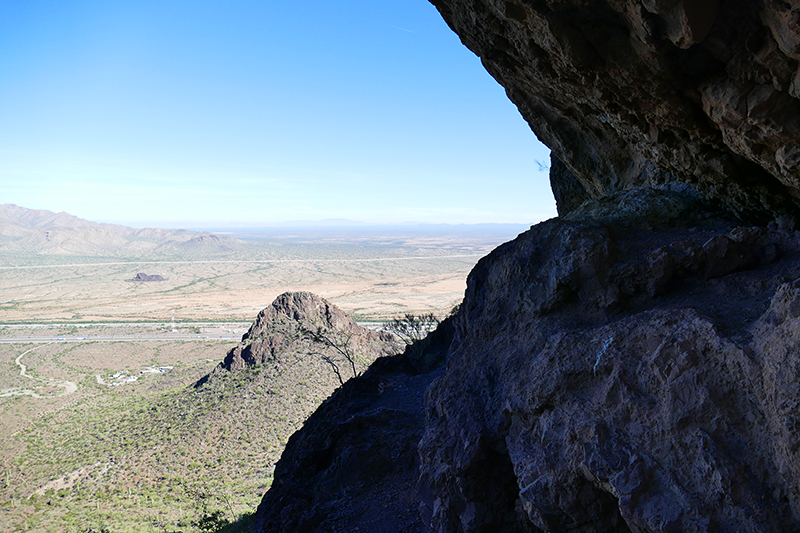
<point x="199" y="113"/>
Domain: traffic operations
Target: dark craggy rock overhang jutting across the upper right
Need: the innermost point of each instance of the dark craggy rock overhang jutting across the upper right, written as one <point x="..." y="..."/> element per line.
<point x="668" y="93"/>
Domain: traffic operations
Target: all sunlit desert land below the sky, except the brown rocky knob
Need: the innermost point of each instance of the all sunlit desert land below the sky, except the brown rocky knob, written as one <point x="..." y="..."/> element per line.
<point x="105" y="331"/>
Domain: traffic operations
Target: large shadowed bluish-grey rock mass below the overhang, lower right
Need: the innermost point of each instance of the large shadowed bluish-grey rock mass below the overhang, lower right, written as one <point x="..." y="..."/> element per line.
<point x="629" y="367"/>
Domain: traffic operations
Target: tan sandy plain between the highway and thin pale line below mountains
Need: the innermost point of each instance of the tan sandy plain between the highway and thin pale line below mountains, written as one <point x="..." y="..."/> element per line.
<point x="372" y="284"/>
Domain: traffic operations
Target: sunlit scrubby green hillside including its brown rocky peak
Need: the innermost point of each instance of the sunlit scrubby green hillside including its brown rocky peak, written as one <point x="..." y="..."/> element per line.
<point x="163" y="460"/>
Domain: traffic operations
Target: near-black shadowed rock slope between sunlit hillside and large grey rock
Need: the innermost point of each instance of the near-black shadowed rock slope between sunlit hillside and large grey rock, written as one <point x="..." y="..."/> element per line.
<point x="353" y="465"/>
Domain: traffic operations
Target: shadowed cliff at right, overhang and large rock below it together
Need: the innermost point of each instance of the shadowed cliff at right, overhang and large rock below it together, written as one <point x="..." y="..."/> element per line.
<point x="630" y="366"/>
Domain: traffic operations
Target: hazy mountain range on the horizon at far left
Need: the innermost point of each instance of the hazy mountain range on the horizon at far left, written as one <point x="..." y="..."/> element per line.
<point x="44" y="232"/>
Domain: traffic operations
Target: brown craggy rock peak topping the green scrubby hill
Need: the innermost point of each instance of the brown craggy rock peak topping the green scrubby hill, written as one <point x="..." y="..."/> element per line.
<point x="275" y="332"/>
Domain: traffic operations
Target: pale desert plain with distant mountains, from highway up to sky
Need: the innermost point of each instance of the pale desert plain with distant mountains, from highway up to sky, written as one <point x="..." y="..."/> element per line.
<point x="57" y="268"/>
